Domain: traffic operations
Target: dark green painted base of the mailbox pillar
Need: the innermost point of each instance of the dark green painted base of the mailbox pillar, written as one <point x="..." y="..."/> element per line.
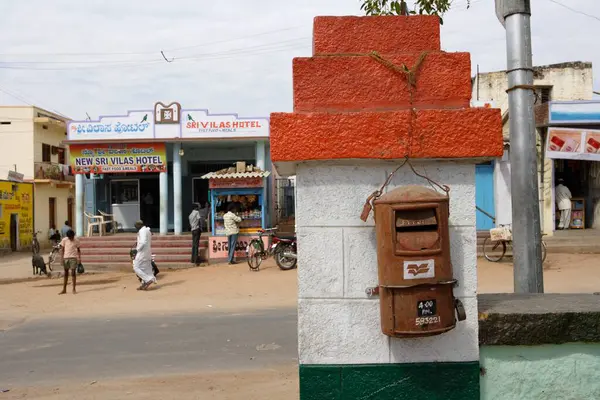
<point x="425" y="381"/>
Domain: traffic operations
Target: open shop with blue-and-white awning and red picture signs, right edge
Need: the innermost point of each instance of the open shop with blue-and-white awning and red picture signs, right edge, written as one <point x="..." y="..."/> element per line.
<point x="573" y="145"/>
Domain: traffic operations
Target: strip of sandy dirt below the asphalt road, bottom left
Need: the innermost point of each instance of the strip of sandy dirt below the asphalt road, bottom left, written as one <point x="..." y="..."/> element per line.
<point x="281" y="384"/>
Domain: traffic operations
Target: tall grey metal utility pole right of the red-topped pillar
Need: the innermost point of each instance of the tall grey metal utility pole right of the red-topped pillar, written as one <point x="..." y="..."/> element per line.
<point x="528" y="274"/>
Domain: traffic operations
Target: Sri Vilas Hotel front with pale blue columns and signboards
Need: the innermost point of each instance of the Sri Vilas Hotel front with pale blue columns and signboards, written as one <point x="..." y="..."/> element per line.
<point x="149" y="164"/>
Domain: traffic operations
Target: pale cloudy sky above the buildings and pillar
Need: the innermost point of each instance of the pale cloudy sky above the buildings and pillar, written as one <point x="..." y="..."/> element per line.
<point x="103" y="57"/>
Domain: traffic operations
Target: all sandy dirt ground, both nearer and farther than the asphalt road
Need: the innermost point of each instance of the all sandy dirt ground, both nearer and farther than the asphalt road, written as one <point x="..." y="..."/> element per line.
<point x="217" y="289"/>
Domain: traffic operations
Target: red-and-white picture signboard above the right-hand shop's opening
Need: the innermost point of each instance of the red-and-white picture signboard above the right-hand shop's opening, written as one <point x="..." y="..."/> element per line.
<point x="573" y="144"/>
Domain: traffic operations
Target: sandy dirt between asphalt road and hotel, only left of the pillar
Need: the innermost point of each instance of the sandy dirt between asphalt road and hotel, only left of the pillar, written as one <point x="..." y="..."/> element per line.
<point x="213" y="288"/>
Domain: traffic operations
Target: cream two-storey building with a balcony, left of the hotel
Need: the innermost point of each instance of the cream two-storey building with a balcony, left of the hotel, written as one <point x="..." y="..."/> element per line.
<point x="32" y="145"/>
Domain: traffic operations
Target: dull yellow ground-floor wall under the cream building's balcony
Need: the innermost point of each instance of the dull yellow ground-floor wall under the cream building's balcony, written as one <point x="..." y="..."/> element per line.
<point x="43" y="192"/>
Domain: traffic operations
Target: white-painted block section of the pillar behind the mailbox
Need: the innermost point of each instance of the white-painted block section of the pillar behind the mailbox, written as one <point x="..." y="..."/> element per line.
<point x="337" y="322"/>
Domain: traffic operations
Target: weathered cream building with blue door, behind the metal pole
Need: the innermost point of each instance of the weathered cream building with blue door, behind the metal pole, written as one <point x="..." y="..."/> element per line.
<point x="570" y="81"/>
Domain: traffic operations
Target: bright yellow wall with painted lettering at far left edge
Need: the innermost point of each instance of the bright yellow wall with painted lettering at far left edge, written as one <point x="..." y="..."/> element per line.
<point x="16" y="202"/>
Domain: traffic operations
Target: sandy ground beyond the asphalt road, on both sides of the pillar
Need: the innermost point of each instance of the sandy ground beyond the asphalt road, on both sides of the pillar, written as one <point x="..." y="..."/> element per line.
<point x="234" y="288"/>
